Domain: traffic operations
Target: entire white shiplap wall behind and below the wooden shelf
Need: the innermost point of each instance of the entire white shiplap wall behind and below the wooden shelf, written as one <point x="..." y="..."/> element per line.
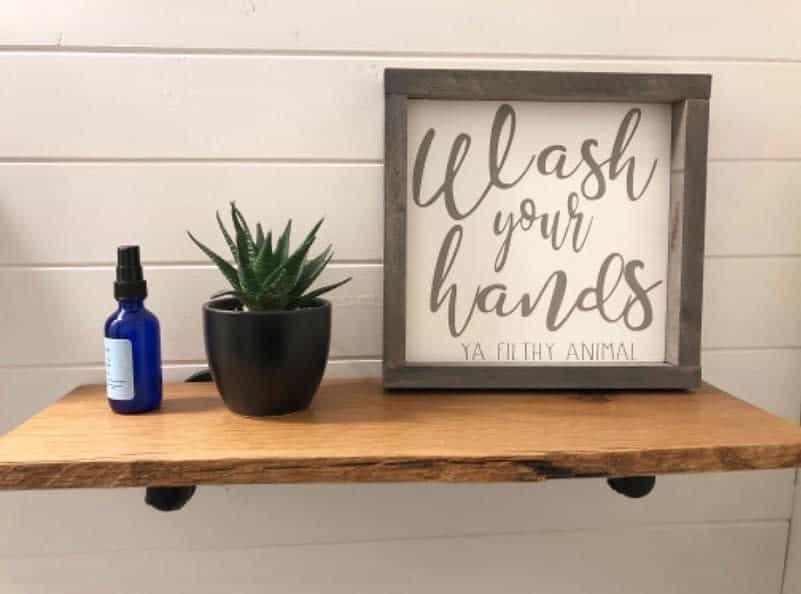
<point x="130" y="122"/>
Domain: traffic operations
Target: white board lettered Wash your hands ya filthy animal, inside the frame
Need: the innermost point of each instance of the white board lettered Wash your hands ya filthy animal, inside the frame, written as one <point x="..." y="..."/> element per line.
<point x="537" y="232"/>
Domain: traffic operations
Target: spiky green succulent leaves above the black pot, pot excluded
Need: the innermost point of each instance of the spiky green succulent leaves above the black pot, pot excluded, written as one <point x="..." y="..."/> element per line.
<point x="268" y="277"/>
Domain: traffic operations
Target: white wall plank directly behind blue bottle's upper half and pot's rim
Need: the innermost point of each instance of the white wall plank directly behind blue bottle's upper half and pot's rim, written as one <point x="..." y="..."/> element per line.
<point x="59" y="312"/>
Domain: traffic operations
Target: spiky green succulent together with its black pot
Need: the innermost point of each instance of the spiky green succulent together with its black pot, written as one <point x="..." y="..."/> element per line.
<point x="267" y="337"/>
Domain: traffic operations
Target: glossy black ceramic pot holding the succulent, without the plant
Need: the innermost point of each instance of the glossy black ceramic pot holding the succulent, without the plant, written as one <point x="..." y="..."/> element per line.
<point x="266" y="363"/>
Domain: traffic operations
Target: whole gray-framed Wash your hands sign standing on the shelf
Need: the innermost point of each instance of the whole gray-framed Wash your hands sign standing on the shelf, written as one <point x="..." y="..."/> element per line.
<point x="544" y="229"/>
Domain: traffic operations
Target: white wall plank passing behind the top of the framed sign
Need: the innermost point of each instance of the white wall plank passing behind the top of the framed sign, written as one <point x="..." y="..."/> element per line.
<point x="176" y="106"/>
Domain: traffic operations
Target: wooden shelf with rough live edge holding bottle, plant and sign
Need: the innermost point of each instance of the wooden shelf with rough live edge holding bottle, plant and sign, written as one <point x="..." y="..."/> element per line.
<point x="354" y="432"/>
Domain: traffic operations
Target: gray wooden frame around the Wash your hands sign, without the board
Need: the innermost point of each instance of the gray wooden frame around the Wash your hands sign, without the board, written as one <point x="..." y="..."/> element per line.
<point x="689" y="96"/>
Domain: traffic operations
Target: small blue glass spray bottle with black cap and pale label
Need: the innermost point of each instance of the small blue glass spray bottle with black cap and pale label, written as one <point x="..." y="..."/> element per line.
<point x="132" y="342"/>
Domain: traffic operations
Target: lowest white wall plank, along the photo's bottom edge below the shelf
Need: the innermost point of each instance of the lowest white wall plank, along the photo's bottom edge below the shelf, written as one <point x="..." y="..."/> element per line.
<point x="713" y="559"/>
